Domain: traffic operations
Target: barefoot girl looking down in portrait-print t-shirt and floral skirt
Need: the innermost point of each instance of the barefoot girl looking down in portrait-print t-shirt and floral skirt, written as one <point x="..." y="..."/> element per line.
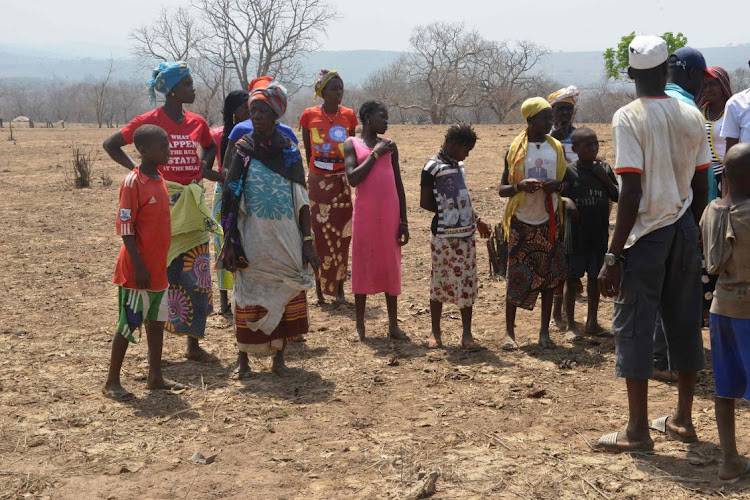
<point x="453" y="277"/>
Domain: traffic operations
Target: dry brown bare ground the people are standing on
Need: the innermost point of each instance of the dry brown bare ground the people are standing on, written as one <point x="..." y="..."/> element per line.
<point x="355" y="420"/>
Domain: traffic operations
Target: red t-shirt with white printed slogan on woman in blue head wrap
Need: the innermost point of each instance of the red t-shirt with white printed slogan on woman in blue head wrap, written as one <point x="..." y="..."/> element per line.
<point x="184" y="138"/>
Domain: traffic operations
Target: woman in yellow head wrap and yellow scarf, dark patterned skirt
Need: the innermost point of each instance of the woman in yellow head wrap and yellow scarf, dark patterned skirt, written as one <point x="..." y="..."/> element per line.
<point x="533" y="178"/>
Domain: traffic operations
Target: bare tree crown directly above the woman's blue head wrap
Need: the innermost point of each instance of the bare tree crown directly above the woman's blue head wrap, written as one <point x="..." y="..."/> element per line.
<point x="174" y="36"/>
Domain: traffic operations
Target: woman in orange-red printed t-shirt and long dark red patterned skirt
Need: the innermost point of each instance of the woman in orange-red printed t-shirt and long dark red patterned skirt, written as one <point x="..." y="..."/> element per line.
<point x="324" y="130"/>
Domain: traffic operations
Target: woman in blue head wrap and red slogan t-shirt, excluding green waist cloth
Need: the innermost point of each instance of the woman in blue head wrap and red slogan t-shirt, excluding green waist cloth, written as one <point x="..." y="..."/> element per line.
<point x="189" y="295"/>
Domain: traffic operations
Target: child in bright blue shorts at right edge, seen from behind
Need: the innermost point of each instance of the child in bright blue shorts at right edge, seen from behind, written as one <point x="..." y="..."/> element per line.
<point x="726" y="247"/>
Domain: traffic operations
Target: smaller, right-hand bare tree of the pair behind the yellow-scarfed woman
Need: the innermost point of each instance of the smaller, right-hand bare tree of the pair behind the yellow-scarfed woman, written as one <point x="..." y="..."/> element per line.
<point x="505" y="76"/>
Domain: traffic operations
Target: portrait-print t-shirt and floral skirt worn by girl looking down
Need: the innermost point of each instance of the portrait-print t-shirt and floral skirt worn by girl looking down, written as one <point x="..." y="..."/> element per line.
<point x="453" y="276"/>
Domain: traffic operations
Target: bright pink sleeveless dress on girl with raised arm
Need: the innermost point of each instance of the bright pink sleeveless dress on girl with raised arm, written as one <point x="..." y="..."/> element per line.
<point x="376" y="255"/>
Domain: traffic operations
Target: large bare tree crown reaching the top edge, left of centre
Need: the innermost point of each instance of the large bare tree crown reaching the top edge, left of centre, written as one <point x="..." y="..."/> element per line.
<point x="263" y="37"/>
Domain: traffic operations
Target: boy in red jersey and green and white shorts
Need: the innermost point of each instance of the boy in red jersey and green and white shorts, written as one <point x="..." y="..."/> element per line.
<point x="144" y="223"/>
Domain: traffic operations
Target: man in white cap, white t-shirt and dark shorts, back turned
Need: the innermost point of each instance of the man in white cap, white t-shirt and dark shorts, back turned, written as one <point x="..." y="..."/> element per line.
<point x="654" y="262"/>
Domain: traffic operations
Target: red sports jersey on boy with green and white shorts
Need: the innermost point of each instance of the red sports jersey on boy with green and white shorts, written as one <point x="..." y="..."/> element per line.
<point x="144" y="213"/>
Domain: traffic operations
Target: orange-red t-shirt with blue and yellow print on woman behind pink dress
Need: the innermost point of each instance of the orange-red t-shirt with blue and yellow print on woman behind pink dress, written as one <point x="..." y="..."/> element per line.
<point x="327" y="138"/>
